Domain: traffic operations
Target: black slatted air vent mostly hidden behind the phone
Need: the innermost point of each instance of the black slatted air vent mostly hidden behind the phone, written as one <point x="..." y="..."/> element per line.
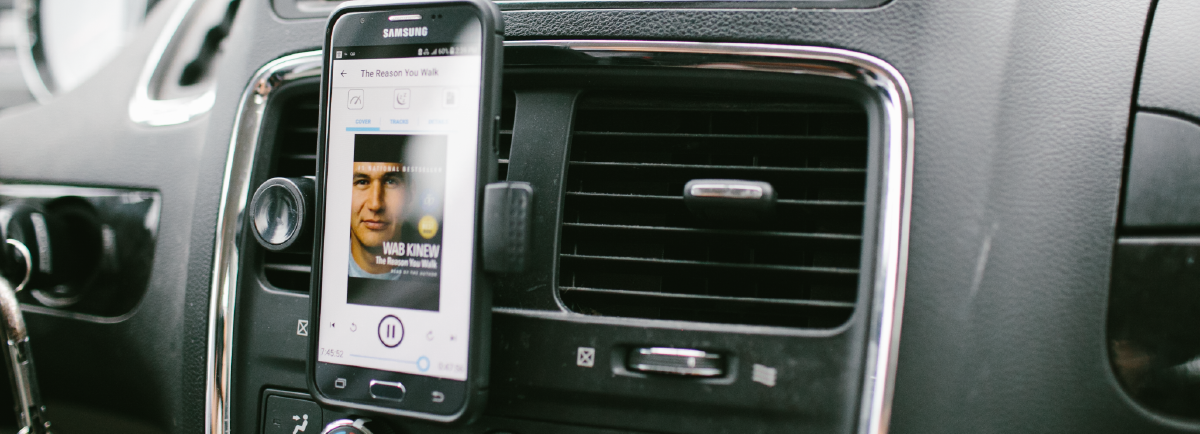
<point x="295" y="154"/>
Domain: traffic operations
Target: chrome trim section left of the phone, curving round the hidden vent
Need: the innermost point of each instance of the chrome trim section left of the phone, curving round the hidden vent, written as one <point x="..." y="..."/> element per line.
<point x="235" y="196"/>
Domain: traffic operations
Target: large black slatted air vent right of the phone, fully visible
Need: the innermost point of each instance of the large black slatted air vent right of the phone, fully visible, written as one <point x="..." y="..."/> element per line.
<point x="632" y="249"/>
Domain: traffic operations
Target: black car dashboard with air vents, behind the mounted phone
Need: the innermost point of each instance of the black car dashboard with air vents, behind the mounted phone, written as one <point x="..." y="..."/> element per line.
<point x="985" y="218"/>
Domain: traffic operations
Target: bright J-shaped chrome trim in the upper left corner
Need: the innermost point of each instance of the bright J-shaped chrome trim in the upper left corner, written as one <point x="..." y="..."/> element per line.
<point x="151" y="112"/>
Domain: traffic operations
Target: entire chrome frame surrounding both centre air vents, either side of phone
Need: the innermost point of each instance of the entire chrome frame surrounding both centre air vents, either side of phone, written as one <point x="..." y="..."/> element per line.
<point x="895" y="212"/>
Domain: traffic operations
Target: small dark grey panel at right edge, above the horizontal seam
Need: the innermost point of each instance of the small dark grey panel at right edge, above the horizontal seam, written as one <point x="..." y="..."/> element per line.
<point x="1163" y="189"/>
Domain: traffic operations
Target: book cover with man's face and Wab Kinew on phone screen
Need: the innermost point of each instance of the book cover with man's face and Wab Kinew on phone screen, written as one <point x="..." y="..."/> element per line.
<point x="397" y="221"/>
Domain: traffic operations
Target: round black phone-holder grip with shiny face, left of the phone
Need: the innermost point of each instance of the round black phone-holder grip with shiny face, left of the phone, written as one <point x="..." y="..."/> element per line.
<point x="281" y="214"/>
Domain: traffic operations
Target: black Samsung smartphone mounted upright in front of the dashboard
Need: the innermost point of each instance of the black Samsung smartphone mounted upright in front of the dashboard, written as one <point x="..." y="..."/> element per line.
<point x="410" y="105"/>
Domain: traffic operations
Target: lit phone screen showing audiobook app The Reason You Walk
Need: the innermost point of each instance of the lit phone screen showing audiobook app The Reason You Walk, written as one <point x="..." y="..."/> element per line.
<point x="400" y="204"/>
